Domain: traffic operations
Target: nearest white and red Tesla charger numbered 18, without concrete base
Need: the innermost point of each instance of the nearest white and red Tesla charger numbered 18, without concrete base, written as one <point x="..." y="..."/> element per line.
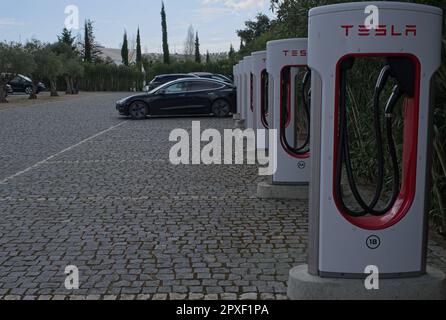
<point x="348" y="230"/>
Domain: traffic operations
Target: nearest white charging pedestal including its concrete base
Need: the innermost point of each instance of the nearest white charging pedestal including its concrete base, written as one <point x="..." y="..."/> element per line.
<point x="342" y="245"/>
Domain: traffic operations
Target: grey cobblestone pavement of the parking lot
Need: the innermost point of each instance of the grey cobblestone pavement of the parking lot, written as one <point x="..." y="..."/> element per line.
<point x="81" y="186"/>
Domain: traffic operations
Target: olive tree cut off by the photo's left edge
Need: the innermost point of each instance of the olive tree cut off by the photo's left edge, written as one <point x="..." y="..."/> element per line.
<point x="14" y="60"/>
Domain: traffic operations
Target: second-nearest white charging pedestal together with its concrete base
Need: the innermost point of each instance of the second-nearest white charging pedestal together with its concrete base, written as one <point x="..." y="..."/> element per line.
<point x="288" y="58"/>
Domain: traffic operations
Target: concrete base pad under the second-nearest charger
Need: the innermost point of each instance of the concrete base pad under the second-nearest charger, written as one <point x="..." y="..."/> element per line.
<point x="273" y="191"/>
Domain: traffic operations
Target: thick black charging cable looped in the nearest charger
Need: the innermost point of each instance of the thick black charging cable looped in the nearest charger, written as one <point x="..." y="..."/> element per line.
<point x="403" y="72"/>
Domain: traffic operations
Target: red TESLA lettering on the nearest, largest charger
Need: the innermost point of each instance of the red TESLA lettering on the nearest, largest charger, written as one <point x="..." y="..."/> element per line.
<point x="380" y="31"/>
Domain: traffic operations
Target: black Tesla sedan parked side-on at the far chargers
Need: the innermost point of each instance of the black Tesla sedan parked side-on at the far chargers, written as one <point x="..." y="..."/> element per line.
<point x="190" y="96"/>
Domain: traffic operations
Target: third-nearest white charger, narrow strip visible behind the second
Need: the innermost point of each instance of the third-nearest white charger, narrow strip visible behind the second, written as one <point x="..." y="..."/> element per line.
<point x="260" y="98"/>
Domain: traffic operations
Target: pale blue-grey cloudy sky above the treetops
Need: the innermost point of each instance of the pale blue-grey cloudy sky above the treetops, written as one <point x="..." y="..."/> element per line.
<point x="215" y="20"/>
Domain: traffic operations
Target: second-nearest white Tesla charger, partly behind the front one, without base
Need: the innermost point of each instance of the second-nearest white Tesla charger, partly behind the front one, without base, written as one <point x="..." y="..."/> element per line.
<point x="287" y="71"/>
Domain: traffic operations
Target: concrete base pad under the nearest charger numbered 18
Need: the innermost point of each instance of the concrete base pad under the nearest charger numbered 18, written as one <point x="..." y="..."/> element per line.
<point x="303" y="286"/>
